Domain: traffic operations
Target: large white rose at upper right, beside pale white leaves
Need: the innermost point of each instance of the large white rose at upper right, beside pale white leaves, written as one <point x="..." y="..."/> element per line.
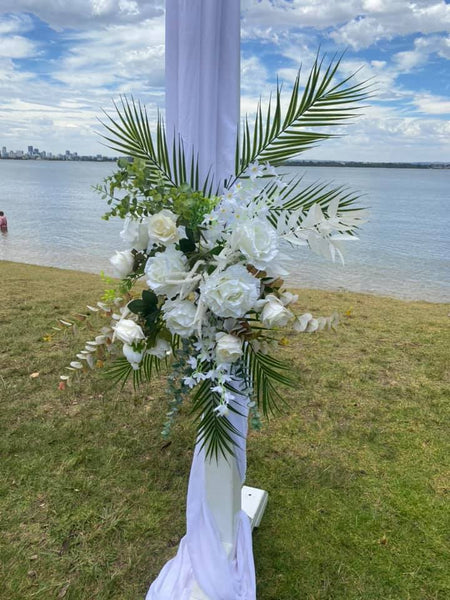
<point x="257" y="240"/>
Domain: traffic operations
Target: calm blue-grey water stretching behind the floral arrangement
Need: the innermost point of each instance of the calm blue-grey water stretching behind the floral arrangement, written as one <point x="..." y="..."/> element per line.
<point x="54" y="219"/>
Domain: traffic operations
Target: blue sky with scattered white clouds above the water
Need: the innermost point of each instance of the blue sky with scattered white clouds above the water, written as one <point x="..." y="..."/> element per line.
<point x="63" y="62"/>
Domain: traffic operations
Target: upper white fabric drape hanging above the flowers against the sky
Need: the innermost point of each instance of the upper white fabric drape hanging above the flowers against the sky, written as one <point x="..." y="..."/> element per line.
<point x="203" y="81"/>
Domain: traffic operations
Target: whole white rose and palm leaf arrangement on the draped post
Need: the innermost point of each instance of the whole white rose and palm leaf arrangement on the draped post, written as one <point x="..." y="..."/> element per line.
<point x="214" y="264"/>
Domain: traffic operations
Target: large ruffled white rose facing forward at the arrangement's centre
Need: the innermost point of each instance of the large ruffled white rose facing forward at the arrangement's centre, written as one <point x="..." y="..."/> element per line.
<point x="231" y="293"/>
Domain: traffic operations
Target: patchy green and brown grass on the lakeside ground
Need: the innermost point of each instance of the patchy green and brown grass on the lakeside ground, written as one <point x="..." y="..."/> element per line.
<point x="92" y="500"/>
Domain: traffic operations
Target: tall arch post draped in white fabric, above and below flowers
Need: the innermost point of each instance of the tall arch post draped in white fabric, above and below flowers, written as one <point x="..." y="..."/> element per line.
<point x="215" y="559"/>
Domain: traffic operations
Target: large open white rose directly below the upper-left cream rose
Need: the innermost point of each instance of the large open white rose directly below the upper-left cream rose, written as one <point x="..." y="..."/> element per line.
<point x="167" y="265"/>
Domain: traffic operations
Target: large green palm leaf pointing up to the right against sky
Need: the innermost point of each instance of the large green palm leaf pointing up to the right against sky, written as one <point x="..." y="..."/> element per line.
<point x="322" y="104"/>
